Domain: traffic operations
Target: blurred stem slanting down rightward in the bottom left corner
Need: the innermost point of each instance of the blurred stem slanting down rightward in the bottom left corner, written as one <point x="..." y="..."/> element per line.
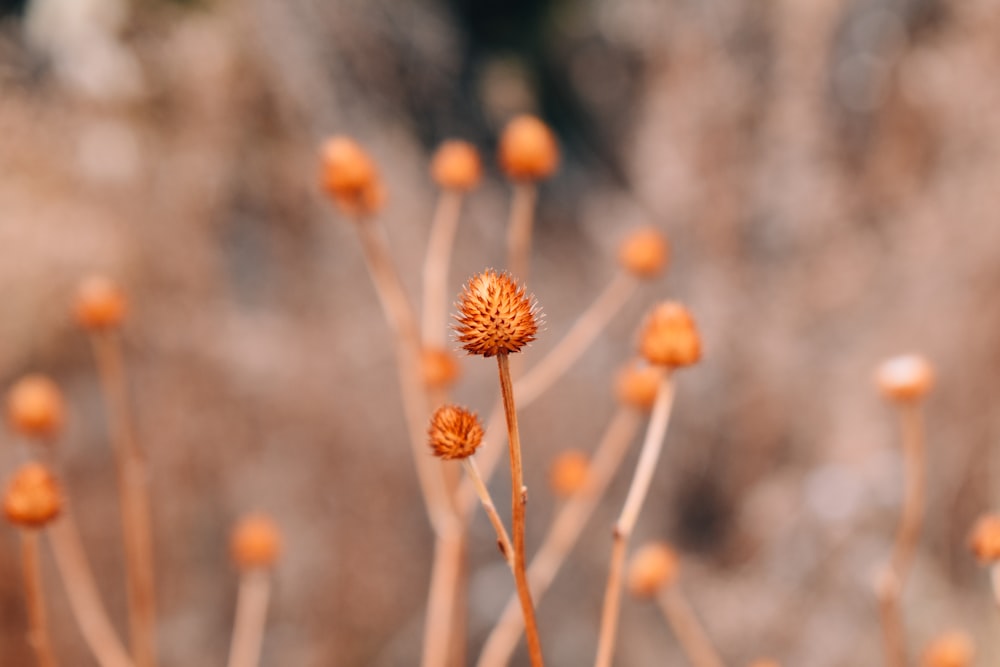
<point x="84" y="599"/>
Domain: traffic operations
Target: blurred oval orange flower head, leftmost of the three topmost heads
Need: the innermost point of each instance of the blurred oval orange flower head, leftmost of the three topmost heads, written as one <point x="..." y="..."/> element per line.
<point x="350" y="177"/>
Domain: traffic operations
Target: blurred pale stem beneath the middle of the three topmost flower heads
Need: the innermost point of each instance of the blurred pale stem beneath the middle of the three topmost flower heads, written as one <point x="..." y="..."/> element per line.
<point x="436" y="263"/>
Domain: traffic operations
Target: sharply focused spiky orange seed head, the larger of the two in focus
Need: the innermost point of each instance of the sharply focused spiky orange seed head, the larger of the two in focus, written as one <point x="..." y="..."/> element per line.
<point x="495" y="315"/>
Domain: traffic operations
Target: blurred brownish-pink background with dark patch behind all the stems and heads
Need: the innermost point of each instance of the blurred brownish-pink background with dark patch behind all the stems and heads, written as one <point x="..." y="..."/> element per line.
<point x="827" y="172"/>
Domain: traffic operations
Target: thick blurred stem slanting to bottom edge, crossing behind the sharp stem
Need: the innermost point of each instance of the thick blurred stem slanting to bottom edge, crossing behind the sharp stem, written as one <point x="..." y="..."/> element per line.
<point x="563" y="534"/>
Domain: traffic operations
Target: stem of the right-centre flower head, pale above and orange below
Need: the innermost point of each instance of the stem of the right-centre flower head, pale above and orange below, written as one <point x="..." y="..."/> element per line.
<point x="648" y="457"/>
